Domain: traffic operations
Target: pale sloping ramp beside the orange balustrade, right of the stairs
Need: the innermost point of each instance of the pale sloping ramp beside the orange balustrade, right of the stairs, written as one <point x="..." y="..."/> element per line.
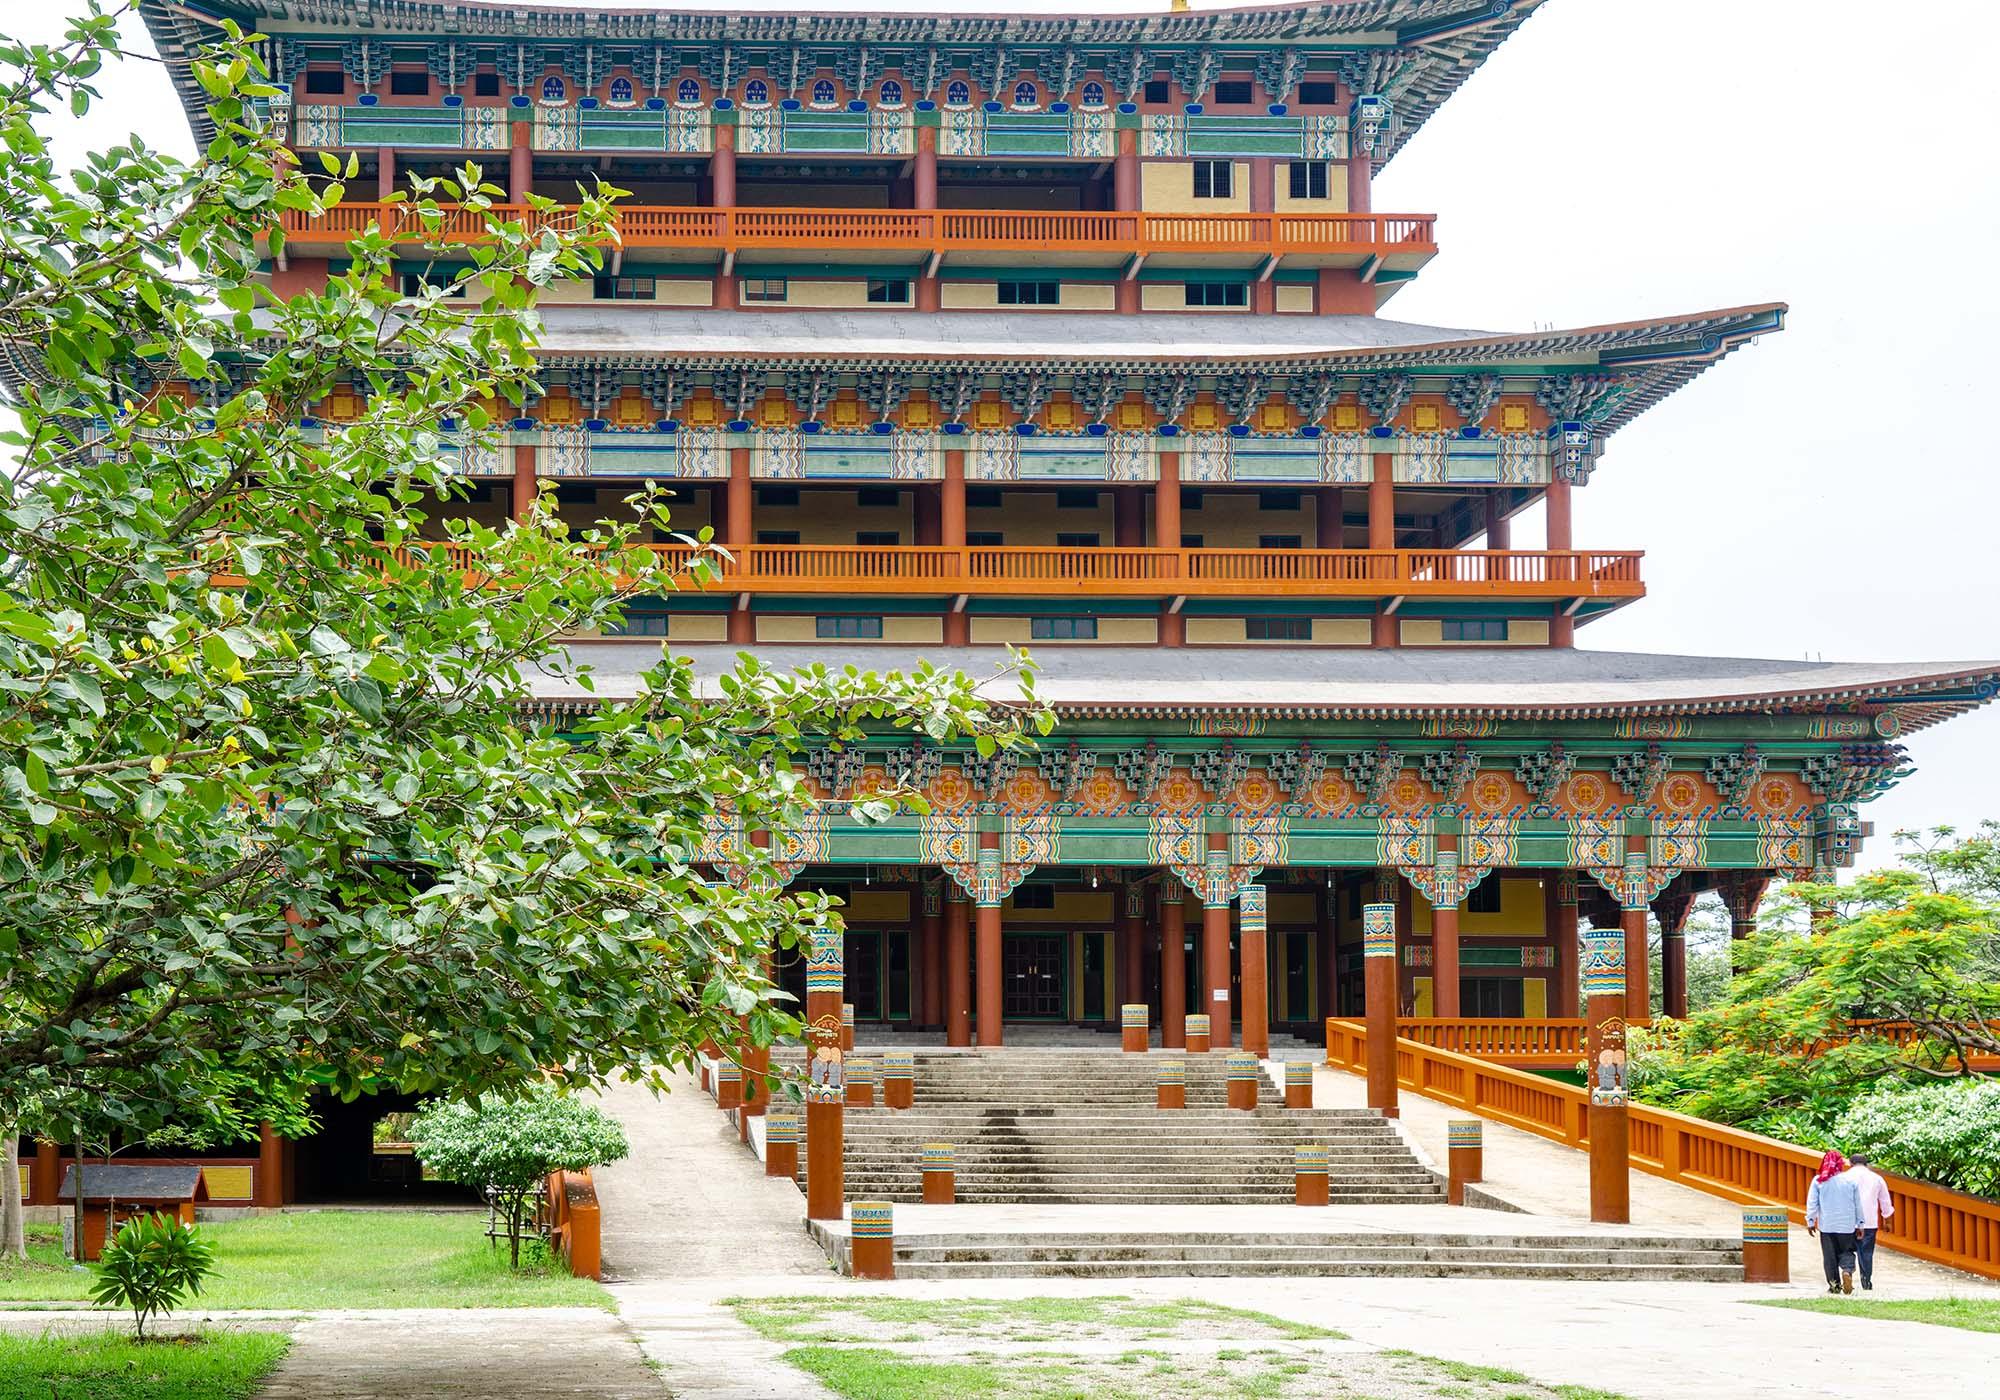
<point x="1555" y="1181"/>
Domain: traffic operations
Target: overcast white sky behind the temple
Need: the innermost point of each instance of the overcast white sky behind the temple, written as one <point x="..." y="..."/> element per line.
<point x="1825" y="493"/>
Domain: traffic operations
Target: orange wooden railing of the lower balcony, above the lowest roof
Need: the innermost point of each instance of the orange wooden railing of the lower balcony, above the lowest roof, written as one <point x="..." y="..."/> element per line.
<point x="1147" y="573"/>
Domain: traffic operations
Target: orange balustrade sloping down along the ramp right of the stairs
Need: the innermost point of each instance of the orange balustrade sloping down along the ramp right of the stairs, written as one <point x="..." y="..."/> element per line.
<point x="1931" y="1223"/>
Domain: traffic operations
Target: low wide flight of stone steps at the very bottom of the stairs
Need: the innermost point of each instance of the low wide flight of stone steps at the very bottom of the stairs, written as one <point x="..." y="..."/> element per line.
<point x="1253" y="1255"/>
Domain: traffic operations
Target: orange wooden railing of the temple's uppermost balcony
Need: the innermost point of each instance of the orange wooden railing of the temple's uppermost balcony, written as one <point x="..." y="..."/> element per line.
<point x="921" y="231"/>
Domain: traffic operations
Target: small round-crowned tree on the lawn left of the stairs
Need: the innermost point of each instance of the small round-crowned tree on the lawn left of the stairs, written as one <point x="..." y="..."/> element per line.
<point x="507" y="1149"/>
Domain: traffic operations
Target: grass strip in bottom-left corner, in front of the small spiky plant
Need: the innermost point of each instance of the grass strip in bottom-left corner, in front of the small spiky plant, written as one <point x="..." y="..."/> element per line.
<point x="113" y="1367"/>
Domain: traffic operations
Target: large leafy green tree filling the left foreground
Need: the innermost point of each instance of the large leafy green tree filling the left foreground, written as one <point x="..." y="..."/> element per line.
<point x="273" y="803"/>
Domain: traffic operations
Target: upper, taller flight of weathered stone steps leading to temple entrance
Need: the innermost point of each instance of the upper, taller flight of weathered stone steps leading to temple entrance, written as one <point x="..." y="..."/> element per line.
<point x="1081" y="1127"/>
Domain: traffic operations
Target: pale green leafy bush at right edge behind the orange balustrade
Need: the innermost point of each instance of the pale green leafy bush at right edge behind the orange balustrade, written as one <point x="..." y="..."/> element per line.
<point x="1937" y="1133"/>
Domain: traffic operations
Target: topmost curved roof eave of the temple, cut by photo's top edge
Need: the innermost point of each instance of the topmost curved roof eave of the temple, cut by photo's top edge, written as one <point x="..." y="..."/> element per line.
<point x="1443" y="41"/>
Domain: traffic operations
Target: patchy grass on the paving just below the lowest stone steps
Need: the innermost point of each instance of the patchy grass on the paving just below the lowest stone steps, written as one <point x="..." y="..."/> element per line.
<point x="833" y="1319"/>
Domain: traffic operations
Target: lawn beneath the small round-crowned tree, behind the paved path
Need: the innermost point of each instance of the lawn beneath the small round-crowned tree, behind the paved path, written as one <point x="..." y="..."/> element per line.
<point x="337" y="1259"/>
